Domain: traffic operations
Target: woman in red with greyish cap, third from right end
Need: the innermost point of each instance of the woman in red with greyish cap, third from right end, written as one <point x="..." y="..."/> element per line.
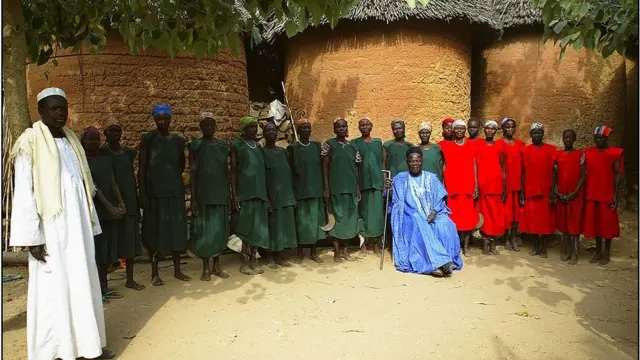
<point x="538" y="185"/>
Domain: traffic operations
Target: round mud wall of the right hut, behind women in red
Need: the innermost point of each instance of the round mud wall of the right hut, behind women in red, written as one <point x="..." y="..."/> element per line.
<point x="523" y="78"/>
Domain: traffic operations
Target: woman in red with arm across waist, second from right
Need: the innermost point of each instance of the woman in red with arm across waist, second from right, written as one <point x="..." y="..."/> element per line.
<point x="570" y="173"/>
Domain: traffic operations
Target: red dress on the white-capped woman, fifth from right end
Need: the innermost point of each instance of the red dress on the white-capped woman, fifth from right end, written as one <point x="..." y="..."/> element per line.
<point x="491" y="186"/>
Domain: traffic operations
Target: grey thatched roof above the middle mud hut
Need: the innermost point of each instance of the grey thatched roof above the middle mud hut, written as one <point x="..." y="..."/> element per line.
<point x="477" y="12"/>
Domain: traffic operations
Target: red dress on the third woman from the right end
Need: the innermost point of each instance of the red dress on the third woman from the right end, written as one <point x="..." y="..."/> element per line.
<point x="538" y="218"/>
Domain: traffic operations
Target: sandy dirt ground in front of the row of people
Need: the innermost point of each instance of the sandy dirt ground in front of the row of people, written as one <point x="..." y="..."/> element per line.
<point x="511" y="306"/>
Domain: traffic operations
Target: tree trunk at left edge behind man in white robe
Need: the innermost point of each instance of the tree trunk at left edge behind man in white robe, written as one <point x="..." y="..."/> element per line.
<point x="14" y="58"/>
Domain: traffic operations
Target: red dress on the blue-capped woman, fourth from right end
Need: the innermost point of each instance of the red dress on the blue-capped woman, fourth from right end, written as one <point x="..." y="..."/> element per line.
<point x="513" y="166"/>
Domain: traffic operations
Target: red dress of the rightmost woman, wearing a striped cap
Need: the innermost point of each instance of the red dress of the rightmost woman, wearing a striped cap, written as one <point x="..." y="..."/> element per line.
<point x="599" y="218"/>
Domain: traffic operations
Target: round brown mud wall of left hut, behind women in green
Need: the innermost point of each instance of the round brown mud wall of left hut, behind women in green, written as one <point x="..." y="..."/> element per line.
<point x="115" y="85"/>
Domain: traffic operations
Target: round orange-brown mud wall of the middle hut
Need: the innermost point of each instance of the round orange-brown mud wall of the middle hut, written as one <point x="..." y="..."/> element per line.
<point x="416" y="71"/>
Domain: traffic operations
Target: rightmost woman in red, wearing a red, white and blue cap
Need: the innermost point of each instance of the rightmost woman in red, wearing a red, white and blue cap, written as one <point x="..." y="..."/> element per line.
<point x="604" y="166"/>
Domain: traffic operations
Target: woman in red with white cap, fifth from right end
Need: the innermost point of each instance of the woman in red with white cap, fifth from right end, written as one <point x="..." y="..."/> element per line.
<point x="492" y="183"/>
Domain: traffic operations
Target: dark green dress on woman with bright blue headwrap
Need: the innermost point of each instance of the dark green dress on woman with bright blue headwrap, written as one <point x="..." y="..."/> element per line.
<point x="164" y="222"/>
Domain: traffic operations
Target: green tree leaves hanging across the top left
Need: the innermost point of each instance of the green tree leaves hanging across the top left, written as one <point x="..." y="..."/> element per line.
<point x="203" y="27"/>
